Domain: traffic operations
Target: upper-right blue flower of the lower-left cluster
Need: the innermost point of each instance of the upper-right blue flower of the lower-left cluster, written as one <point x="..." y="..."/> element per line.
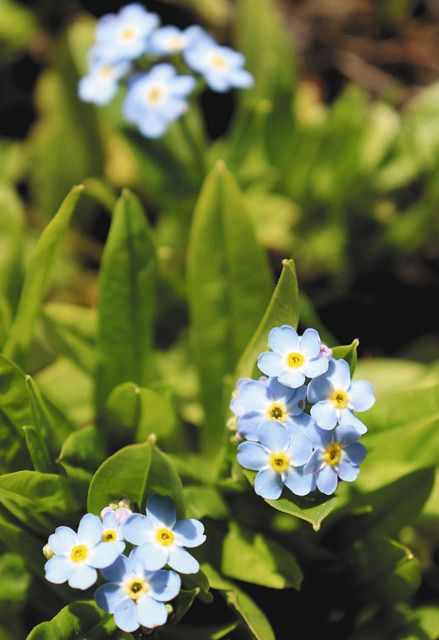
<point x="162" y="539"/>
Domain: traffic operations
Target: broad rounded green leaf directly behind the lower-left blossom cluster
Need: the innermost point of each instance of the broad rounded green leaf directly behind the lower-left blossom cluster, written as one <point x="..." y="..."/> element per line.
<point x="135" y="472"/>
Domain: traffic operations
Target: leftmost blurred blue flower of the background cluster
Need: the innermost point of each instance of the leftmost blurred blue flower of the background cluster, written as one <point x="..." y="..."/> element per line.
<point x="100" y="85"/>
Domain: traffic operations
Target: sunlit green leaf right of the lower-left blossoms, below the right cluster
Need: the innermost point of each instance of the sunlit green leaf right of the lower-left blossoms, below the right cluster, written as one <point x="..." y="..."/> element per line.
<point x="252" y="557"/>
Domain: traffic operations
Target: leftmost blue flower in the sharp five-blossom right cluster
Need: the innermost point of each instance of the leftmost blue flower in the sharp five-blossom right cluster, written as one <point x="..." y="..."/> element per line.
<point x="259" y="404"/>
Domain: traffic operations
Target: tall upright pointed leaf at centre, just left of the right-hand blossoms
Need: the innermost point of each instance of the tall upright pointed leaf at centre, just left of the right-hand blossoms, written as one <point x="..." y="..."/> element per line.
<point x="229" y="284"/>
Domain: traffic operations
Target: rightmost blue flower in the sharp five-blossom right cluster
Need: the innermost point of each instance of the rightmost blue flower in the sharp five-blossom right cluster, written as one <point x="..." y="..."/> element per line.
<point x="334" y="397"/>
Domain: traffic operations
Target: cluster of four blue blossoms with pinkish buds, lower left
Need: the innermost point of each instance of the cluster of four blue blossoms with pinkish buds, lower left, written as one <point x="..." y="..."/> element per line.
<point x="137" y="585"/>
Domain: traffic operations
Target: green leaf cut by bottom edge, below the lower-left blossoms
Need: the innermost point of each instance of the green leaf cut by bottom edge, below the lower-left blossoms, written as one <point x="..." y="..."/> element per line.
<point x="82" y="620"/>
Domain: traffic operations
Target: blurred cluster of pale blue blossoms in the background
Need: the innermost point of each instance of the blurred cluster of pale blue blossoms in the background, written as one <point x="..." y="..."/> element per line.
<point x="132" y="40"/>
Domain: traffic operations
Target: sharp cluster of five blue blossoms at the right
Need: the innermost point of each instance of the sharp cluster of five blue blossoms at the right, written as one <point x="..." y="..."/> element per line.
<point x="286" y="445"/>
